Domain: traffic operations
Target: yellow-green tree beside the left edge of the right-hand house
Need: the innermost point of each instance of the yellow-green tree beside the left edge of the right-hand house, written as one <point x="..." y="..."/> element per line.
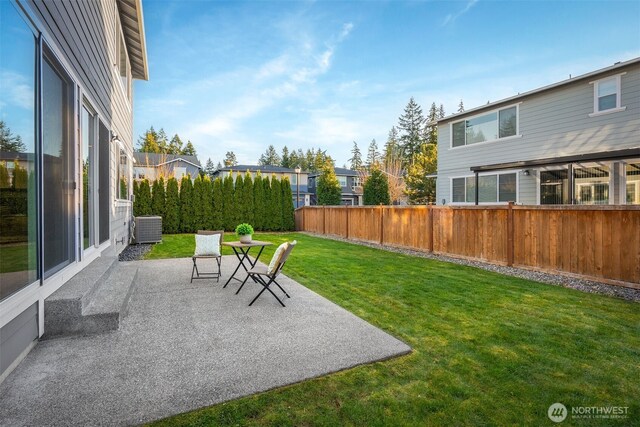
<point x="420" y="188"/>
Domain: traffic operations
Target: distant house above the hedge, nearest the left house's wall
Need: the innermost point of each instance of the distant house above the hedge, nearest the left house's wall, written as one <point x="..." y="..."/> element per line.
<point x="152" y="166"/>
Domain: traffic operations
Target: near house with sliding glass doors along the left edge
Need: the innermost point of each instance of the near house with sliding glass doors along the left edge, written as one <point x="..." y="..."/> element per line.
<point x="77" y="127"/>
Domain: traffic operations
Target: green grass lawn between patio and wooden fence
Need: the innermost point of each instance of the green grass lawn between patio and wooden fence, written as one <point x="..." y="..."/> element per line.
<point x="488" y="349"/>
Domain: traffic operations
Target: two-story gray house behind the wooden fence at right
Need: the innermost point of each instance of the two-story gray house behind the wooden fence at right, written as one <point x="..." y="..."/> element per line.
<point x="573" y="142"/>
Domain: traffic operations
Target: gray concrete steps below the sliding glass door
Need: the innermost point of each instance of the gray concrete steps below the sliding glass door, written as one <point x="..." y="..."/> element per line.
<point x="92" y="302"/>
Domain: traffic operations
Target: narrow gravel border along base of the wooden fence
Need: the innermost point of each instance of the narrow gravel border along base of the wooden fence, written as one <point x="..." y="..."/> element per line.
<point x="537" y="276"/>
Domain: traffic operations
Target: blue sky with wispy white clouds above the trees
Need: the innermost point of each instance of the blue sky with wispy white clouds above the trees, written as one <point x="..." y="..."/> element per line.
<point x="238" y="76"/>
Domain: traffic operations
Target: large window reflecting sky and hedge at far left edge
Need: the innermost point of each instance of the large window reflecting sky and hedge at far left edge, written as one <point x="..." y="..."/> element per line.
<point x="18" y="176"/>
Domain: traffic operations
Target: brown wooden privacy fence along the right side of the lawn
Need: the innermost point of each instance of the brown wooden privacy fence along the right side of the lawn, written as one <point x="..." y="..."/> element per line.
<point x="599" y="242"/>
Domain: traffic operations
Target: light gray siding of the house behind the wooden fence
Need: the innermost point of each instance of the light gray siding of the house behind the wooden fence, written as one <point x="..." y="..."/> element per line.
<point x="551" y="124"/>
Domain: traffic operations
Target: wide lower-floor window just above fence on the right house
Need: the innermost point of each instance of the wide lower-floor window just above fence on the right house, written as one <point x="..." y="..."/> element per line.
<point x="491" y="188"/>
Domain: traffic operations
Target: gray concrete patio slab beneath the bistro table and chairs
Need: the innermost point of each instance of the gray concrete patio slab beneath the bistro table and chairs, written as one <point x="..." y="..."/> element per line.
<point x="184" y="346"/>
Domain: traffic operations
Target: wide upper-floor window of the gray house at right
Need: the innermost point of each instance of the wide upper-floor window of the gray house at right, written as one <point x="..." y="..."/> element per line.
<point x="491" y="126"/>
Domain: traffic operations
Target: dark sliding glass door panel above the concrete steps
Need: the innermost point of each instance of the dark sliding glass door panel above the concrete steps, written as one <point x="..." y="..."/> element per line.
<point x="58" y="184"/>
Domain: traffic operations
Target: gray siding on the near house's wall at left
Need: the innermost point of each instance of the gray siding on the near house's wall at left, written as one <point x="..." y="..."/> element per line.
<point x="86" y="33"/>
